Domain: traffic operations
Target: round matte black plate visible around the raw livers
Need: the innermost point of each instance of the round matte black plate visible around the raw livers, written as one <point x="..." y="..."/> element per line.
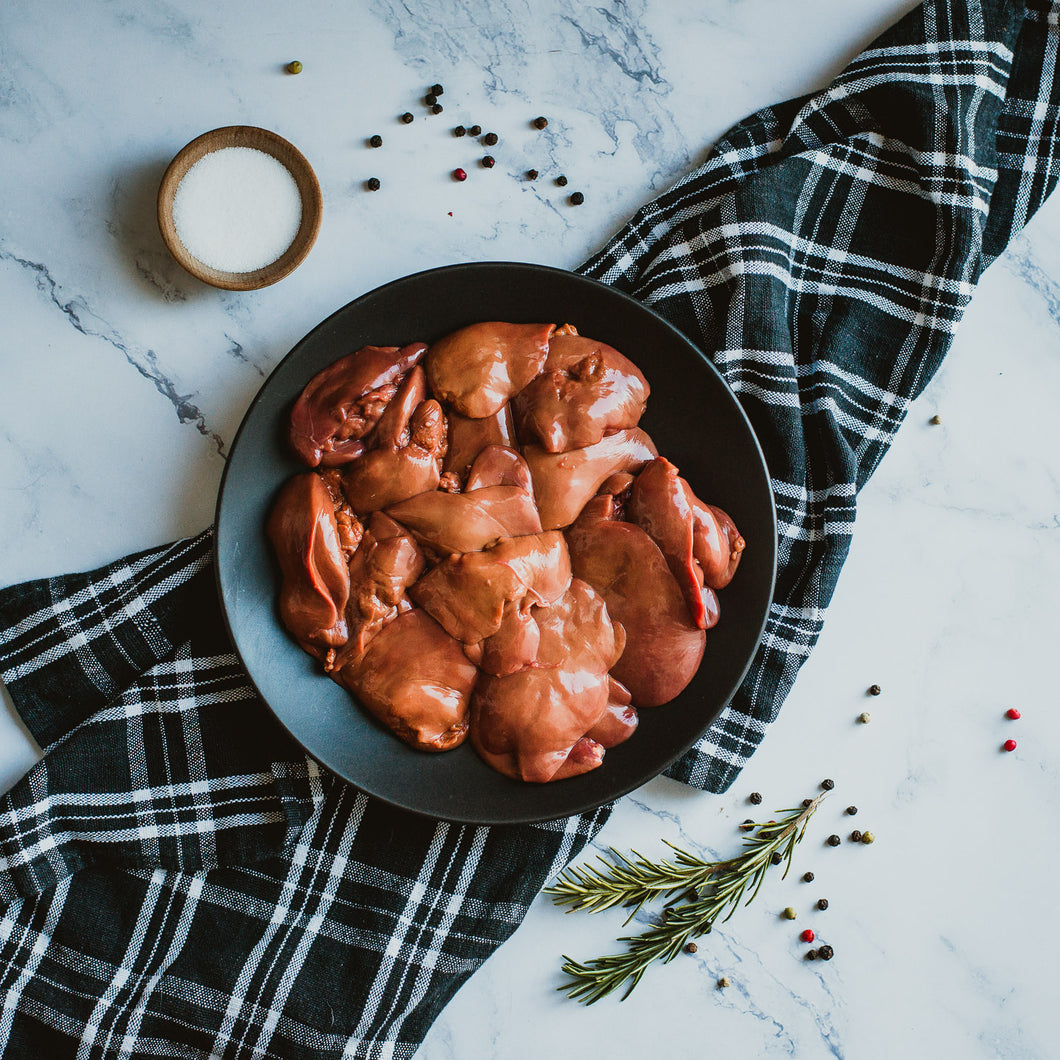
<point x="695" y="421"/>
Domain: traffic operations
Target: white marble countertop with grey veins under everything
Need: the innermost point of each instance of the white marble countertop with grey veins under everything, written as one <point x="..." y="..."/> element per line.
<point x="122" y="382"/>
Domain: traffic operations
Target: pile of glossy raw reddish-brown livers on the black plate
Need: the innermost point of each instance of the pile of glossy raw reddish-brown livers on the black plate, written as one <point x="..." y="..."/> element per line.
<point x="488" y="547"/>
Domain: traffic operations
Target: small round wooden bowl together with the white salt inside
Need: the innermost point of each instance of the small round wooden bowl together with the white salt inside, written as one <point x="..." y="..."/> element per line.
<point x="240" y="208"/>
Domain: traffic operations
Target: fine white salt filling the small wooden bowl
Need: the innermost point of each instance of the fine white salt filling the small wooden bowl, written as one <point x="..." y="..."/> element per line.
<point x="237" y="209"/>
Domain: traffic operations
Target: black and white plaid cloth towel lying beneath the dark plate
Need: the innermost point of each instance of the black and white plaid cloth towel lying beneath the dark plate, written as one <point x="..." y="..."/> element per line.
<point x="178" y="880"/>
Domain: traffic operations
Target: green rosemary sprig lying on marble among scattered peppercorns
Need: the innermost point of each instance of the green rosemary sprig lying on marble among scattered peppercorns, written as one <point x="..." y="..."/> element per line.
<point x="633" y="881"/>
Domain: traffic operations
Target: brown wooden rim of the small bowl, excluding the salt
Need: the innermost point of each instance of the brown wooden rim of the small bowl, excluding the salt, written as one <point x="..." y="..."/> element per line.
<point x="309" y="189"/>
